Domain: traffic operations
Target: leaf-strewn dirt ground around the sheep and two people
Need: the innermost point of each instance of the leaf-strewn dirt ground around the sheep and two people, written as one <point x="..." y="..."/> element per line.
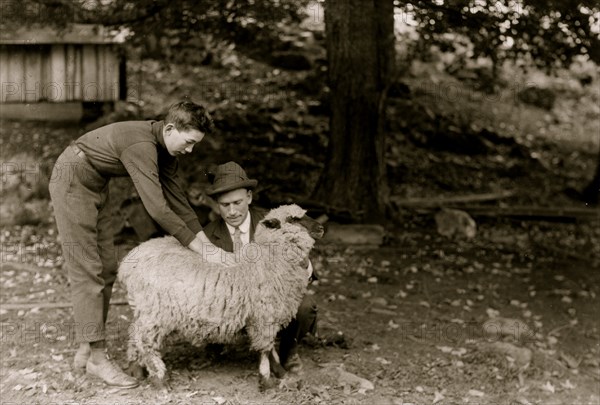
<point x="409" y="317"/>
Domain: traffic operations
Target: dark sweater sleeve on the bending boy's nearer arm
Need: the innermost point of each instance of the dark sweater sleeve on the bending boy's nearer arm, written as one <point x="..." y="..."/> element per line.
<point x="141" y="162"/>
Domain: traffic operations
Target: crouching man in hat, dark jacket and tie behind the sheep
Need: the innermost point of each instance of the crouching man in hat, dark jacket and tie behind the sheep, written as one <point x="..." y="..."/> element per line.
<point x="232" y="189"/>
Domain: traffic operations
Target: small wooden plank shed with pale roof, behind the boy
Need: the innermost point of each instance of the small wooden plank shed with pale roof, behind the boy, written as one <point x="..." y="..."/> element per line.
<point x="52" y="75"/>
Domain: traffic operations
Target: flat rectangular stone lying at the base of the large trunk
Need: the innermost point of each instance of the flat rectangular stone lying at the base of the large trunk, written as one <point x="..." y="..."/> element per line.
<point x="354" y="234"/>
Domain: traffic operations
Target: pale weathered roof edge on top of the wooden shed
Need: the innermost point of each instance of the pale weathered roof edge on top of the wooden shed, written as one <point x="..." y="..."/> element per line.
<point x="74" y="34"/>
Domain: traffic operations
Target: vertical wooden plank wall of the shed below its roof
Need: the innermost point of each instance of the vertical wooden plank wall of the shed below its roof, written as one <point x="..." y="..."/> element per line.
<point x="58" y="73"/>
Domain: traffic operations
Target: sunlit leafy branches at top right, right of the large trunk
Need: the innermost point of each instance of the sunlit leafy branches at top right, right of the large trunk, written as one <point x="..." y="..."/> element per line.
<point x="548" y="34"/>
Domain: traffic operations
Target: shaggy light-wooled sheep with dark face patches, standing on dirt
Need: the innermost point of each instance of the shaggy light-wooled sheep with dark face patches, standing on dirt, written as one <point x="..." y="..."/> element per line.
<point x="171" y="289"/>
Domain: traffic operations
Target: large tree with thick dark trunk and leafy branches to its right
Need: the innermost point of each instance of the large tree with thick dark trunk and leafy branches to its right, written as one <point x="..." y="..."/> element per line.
<point x="360" y="54"/>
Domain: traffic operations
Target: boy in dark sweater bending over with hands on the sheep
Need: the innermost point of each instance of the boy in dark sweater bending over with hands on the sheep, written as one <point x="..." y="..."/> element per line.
<point x="147" y="151"/>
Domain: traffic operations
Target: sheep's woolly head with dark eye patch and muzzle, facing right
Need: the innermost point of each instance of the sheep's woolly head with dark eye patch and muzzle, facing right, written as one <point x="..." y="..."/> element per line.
<point x="289" y="224"/>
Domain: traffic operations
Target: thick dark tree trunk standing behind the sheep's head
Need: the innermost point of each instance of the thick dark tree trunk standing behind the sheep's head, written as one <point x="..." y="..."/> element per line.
<point x="360" y="52"/>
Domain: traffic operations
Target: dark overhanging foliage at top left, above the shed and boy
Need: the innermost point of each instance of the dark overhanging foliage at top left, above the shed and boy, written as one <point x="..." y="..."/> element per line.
<point x="158" y="25"/>
